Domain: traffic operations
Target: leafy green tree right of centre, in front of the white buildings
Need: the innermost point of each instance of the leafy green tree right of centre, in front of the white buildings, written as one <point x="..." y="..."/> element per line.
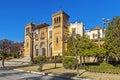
<point x="85" y="48"/>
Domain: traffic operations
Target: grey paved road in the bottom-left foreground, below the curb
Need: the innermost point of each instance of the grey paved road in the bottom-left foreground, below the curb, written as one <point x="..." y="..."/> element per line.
<point x="8" y="74"/>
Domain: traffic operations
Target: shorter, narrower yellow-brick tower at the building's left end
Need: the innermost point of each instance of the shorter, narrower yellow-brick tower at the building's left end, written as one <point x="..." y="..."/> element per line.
<point x="28" y="39"/>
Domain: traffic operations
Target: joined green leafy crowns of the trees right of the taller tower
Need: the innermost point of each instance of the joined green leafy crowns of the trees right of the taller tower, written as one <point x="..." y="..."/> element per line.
<point x="83" y="45"/>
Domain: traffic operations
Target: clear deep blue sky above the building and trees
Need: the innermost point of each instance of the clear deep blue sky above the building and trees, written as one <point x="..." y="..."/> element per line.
<point x="15" y="14"/>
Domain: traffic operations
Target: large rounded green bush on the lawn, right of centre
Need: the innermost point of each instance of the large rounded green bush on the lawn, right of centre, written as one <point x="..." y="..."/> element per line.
<point x="69" y="63"/>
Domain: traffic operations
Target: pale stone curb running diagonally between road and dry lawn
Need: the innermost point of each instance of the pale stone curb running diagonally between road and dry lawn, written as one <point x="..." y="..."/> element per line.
<point x="52" y="75"/>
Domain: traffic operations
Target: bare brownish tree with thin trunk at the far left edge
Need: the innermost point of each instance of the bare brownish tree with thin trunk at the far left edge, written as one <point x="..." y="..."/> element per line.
<point x="4" y="49"/>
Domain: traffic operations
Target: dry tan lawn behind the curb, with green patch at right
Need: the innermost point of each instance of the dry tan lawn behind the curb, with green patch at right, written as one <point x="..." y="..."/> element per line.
<point x="49" y="68"/>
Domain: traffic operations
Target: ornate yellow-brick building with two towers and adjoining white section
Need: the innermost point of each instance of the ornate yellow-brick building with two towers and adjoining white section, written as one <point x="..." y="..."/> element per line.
<point x="49" y="40"/>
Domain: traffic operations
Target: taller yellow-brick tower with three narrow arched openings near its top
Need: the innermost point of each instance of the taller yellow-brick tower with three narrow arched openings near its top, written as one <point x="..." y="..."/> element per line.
<point x="59" y="29"/>
